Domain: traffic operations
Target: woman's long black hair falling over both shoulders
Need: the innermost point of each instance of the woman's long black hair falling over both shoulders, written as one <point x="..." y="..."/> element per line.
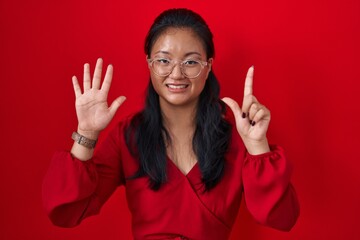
<point x="146" y="135"/>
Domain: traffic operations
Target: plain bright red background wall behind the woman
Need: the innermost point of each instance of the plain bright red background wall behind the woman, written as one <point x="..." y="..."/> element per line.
<point x="306" y="57"/>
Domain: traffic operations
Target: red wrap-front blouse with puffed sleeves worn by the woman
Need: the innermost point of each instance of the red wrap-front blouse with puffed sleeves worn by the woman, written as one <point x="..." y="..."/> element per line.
<point x="74" y="190"/>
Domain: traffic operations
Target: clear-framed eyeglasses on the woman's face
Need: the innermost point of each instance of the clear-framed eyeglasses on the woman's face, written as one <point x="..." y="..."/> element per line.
<point x="189" y="68"/>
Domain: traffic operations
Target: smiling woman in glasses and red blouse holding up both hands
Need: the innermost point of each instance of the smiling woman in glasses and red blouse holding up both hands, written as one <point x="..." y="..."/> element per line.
<point x="182" y="162"/>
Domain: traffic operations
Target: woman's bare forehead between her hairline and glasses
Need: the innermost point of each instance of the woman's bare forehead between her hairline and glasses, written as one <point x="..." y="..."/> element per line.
<point x="178" y="42"/>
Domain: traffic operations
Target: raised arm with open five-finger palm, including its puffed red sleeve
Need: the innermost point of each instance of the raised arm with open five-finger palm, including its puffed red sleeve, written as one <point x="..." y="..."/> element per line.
<point x="78" y="183"/>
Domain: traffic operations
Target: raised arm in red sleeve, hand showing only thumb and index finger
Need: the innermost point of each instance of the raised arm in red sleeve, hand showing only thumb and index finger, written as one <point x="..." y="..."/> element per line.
<point x="268" y="192"/>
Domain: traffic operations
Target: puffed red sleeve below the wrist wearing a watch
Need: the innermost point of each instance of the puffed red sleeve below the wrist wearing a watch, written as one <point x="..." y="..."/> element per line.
<point x="73" y="190"/>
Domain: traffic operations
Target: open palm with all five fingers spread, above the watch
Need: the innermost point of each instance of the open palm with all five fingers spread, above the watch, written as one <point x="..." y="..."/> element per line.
<point x="92" y="109"/>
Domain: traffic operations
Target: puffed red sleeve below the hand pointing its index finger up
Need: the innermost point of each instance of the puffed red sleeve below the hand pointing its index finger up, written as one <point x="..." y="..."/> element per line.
<point x="269" y="195"/>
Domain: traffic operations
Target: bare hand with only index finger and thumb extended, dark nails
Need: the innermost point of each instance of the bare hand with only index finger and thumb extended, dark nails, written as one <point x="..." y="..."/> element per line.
<point x="252" y="119"/>
